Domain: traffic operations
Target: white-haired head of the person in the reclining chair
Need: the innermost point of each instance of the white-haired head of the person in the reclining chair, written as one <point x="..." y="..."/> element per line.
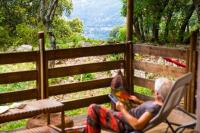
<point x="162" y="87"/>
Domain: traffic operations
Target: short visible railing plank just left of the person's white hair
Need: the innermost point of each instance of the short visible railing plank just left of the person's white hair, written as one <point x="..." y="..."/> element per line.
<point x="144" y="82"/>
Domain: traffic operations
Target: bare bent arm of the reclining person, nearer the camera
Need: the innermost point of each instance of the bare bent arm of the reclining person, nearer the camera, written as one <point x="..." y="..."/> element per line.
<point x="137" y="124"/>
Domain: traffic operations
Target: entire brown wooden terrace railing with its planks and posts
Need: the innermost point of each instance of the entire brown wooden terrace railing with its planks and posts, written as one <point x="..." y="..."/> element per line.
<point x="42" y="73"/>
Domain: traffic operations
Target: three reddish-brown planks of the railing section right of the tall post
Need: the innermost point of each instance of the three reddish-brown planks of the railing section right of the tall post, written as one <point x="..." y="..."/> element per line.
<point x="162" y="70"/>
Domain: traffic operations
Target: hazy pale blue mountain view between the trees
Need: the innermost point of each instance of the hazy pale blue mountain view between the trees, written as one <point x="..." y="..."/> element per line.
<point x="98" y="16"/>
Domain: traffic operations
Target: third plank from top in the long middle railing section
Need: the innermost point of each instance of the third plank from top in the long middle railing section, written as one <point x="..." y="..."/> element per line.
<point x="76" y="87"/>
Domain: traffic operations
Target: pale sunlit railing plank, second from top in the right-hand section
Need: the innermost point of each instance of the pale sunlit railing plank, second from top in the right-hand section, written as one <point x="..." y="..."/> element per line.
<point x="159" y="69"/>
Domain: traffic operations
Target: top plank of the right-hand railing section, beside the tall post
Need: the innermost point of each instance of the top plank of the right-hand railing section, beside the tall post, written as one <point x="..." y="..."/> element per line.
<point x="160" y="51"/>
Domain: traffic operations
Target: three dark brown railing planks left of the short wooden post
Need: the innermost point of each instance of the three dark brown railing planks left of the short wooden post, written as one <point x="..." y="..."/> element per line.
<point x="21" y="76"/>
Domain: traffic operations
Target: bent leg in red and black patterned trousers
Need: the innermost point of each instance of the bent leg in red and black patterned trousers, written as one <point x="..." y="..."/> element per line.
<point x="101" y="117"/>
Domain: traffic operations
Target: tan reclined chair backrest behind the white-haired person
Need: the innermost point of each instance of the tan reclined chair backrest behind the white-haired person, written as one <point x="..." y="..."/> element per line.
<point x="174" y="97"/>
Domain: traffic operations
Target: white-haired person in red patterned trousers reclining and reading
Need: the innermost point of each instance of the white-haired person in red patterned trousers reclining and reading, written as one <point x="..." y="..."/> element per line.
<point x="124" y="120"/>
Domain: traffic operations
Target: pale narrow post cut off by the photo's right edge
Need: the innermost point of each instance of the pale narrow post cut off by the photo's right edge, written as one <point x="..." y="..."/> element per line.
<point x="198" y="87"/>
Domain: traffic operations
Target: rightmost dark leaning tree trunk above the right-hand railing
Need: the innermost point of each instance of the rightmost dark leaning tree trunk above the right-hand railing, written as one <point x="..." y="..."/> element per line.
<point x="189" y="13"/>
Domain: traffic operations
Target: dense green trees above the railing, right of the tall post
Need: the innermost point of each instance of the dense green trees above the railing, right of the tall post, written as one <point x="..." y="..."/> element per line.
<point x="171" y="19"/>
